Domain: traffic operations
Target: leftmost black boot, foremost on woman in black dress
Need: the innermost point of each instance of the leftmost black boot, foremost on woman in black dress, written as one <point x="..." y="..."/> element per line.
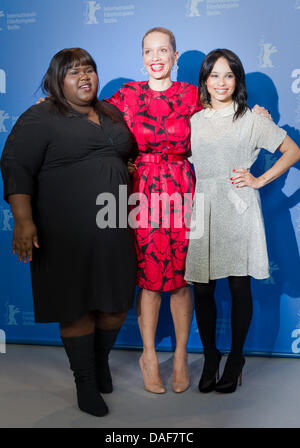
<point x="81" y="353"/>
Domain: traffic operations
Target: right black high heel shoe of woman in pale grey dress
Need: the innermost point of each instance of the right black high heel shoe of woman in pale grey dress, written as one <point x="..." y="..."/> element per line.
<point x="232" y="375"/>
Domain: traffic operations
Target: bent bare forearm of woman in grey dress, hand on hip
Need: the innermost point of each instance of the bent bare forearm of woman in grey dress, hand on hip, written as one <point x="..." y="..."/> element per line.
<point x="290" y="156"/>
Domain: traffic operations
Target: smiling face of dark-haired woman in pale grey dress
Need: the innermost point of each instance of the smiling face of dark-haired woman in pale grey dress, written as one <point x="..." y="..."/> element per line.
<point x="221" y="84"/>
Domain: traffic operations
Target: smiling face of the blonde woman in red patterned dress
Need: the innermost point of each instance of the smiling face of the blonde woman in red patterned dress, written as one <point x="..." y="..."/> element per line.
<point x="159" y="56"/>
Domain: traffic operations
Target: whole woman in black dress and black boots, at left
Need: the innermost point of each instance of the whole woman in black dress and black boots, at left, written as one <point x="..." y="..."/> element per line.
<point x="60" y="156"/>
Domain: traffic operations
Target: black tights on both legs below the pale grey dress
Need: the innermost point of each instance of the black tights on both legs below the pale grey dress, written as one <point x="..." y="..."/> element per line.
<point x="241" y="313"/>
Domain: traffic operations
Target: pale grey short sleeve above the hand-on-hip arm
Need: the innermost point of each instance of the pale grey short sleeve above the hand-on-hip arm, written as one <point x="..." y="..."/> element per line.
<point x="267" y="134"/>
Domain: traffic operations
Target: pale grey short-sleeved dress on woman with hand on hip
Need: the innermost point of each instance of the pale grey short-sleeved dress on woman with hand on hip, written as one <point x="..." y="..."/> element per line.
<point x="229" y="219"/>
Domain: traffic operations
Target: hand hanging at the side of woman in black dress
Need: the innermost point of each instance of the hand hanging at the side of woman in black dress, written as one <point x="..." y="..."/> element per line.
<point x="24" y="237"/>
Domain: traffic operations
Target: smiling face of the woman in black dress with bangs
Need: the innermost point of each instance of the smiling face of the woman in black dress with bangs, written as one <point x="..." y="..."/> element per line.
<point x="80" y="86"/>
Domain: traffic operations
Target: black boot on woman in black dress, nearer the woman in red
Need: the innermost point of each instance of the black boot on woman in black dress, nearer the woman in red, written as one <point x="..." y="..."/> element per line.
<point x="104" y="341"/>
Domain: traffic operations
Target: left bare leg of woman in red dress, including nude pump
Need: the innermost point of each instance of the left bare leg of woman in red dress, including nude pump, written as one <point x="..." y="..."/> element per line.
<point x="148" y="306"/>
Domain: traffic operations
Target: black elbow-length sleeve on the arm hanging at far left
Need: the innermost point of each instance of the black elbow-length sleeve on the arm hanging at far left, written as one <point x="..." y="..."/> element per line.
<point x="24" y="153"/>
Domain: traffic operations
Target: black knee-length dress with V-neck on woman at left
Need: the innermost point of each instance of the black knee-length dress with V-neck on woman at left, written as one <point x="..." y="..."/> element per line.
<point x="64" y="163"/>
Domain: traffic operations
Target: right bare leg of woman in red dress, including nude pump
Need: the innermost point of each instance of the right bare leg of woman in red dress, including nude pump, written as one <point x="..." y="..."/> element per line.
<point x="182" y="312"/>
